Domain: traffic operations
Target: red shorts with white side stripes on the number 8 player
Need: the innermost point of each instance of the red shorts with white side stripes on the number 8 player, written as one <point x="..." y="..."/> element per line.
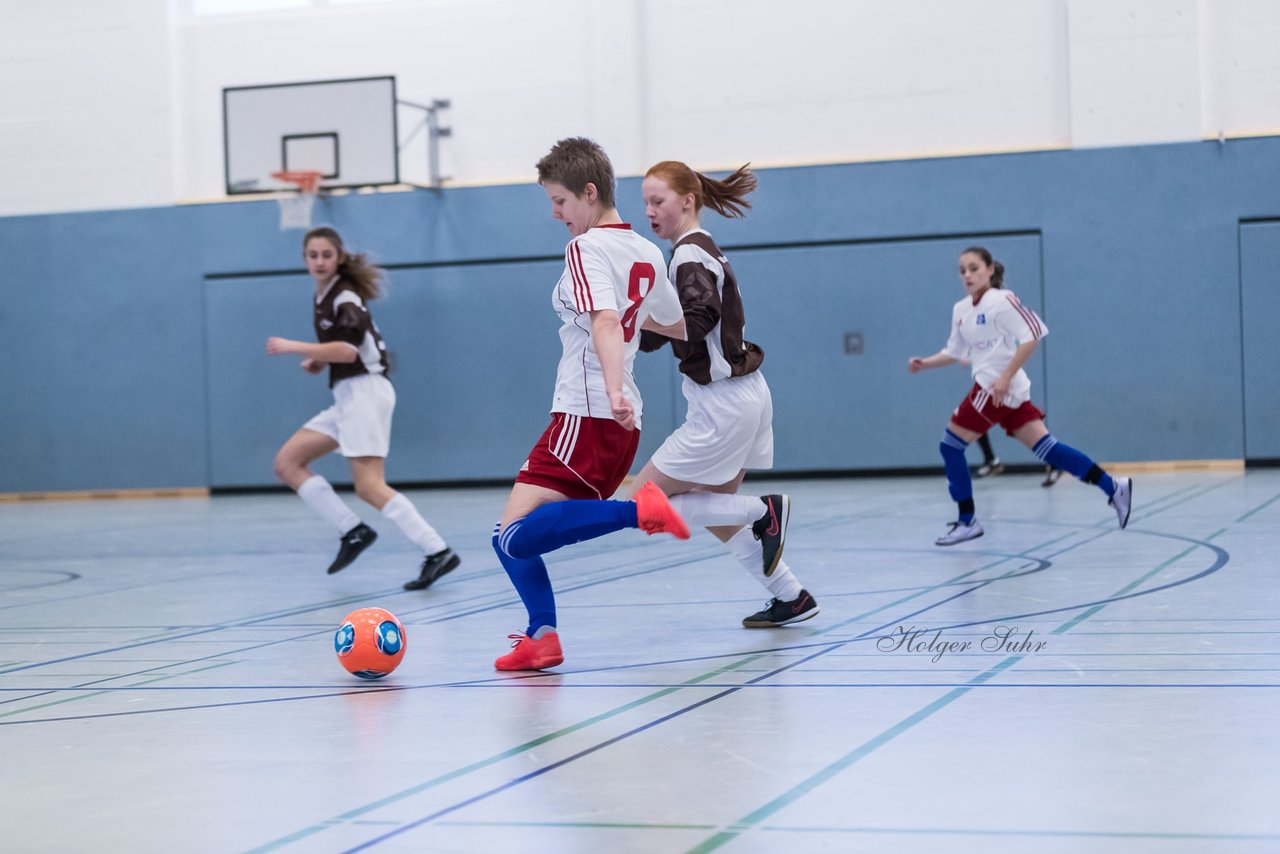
<point x="582" y="458"/>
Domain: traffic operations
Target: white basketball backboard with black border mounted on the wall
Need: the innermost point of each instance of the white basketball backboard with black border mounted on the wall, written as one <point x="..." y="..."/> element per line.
<point x="345" y="130"/>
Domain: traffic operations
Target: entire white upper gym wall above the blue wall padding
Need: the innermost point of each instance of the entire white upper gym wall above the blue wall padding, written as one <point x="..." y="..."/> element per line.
<point x="120" y="102"/>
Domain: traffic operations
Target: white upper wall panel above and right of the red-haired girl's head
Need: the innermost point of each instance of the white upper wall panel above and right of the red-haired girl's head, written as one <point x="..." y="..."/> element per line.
<point x="812" y="81"/>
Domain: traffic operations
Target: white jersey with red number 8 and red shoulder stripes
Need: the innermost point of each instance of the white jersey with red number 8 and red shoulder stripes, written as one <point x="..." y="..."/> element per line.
<point x="610" y="267"/>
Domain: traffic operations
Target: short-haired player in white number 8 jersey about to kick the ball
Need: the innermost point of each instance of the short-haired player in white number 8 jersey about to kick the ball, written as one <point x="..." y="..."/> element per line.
<point x="612" y="289"/>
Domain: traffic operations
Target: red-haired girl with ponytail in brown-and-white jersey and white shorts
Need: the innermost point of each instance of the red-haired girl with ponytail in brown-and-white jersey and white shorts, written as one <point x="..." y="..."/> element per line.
<point x="730" y="423"/>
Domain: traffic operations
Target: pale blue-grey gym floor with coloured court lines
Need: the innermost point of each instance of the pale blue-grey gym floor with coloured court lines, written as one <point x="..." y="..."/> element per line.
<point x="168" y="681"/>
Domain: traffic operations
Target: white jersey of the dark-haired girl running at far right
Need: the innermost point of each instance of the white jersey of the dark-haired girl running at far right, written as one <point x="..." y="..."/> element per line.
<point x="988" y="335"/>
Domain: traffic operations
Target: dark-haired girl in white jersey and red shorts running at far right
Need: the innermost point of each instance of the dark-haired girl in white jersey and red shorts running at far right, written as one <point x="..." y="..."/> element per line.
<point x="998" y="335"/>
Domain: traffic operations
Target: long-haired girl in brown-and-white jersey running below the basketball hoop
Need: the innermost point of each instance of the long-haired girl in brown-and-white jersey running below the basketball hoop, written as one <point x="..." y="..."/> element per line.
<point x="359" y="424"/>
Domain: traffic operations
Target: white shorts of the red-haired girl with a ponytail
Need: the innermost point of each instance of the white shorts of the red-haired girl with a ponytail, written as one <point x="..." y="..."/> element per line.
<point x="729" y="428"/>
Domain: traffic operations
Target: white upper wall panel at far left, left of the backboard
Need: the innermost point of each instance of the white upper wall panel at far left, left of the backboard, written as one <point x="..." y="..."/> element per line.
<point x="85" y="118"/>
